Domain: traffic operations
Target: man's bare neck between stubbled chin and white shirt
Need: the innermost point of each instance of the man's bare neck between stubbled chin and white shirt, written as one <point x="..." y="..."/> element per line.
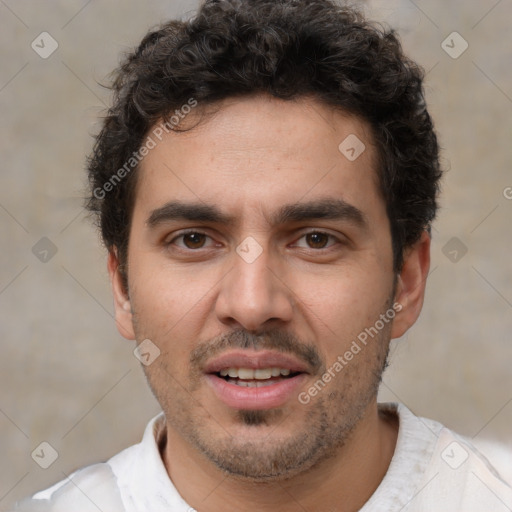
<point x="344" y="482"/>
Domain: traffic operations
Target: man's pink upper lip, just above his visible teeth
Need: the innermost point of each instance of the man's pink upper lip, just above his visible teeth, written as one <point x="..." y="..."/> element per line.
<point x="255" y="360"/>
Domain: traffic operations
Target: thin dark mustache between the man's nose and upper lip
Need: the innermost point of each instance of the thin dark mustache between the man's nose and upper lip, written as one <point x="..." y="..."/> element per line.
<point x="276" y="339"/>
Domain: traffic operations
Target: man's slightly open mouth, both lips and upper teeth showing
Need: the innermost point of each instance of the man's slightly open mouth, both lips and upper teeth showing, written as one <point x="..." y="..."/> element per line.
<point x="255" y="380"/>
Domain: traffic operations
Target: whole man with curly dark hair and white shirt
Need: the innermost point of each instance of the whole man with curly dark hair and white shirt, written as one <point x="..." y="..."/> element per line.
<point x="265" y="183"/>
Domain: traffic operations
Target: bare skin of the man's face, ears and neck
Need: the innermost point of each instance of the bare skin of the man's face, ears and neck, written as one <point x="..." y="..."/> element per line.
<point x="195" y="297"/>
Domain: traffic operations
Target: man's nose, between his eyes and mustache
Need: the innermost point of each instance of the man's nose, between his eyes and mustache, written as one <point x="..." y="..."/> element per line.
<point x="253" y="295"/>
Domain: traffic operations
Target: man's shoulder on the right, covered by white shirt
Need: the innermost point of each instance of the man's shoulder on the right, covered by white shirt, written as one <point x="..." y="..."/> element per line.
<point x="445" y="471"/>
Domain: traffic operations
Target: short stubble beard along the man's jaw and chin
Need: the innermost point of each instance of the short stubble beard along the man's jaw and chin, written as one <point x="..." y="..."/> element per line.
<point x="330" y="420"/>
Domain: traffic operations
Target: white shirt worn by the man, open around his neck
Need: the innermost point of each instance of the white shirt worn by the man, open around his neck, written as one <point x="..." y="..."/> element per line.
<point x="432" y="469"/>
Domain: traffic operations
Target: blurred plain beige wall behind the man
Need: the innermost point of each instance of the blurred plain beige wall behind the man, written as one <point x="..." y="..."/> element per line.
<point x="68" y="378"/>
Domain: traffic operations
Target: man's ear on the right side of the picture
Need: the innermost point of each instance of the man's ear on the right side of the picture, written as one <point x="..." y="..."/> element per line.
<point x="411" y="284"/>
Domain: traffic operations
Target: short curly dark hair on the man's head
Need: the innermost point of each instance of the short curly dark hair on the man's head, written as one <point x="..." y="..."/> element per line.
<point x="286" y="49"/>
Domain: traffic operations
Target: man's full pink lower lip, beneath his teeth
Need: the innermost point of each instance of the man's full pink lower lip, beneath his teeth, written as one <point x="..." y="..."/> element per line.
<point x="265" y="397"/>
